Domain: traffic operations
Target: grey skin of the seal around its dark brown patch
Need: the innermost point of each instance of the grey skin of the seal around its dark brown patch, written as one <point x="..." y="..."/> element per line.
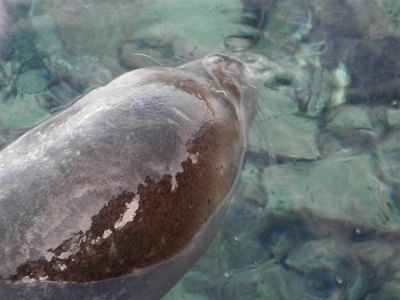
<point x="58" y="175"/>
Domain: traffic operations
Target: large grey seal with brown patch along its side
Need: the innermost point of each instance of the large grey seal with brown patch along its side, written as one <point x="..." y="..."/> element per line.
<point x="118" y="195"/>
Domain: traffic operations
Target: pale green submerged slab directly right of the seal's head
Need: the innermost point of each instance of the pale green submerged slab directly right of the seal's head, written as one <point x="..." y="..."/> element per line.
<point x="277" y="131"/>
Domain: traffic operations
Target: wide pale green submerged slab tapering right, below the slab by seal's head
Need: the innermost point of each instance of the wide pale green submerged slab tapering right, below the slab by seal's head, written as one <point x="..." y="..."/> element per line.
<point x="338" y="188"/>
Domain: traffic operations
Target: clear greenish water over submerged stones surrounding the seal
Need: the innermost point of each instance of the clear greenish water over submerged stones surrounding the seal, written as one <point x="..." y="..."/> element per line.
<point x="316" y="214"/>
